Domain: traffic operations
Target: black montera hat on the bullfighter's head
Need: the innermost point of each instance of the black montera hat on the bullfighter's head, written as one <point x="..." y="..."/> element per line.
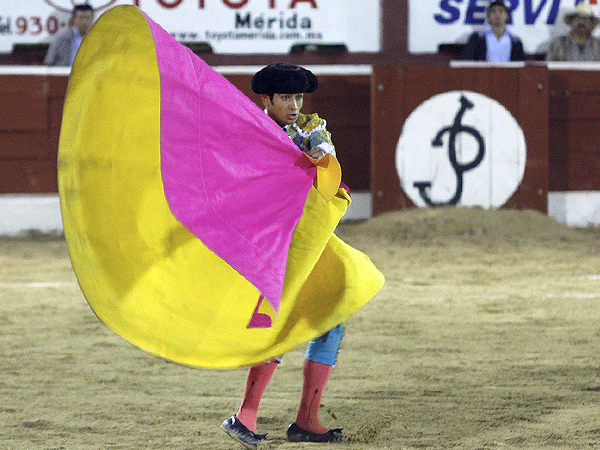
<point x="283" y="78"/>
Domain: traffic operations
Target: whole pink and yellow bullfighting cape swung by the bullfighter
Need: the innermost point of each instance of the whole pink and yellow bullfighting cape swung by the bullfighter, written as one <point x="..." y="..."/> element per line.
<point x="194" y="225"/>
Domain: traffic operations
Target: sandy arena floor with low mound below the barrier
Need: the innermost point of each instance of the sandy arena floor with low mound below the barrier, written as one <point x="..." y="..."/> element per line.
<point x="485" y="336"/>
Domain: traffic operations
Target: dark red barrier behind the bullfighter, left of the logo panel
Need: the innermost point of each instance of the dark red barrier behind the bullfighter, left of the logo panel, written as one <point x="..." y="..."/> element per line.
<point x="32" y="99"/>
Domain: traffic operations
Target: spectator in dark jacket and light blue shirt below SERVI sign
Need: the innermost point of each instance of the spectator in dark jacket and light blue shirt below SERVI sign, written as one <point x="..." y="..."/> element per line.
<point x="494" y="43"/>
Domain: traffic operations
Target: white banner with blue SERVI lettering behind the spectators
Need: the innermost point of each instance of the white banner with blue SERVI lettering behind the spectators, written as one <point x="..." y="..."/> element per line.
<point x="536" y="22"/>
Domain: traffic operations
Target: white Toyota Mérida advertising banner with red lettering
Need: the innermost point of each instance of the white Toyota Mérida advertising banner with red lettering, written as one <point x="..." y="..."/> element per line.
<point x="229" y="26"/>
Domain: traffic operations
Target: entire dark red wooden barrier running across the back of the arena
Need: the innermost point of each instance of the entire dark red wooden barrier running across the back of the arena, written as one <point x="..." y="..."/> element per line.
<point x="557" y="105"/>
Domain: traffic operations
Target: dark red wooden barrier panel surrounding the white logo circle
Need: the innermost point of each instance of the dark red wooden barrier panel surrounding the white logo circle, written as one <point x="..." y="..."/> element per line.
<point x="397" y="91"/>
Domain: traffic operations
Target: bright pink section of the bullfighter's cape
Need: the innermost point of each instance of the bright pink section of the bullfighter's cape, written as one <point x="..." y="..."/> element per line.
<point x="231" y="175"/>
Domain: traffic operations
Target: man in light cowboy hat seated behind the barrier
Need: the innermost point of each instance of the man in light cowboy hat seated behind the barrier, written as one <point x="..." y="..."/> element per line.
<point x="579" y="44"/>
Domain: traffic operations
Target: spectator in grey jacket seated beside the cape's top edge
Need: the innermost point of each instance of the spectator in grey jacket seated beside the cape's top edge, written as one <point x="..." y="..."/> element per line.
<point x="63" y="49"/>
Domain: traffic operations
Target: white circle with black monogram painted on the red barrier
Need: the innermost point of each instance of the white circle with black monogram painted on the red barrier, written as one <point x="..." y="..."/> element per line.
<point x="460" y="148"/>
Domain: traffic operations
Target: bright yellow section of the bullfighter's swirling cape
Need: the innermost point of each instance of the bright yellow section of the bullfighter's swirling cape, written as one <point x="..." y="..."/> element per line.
<point x="145" y="275"/>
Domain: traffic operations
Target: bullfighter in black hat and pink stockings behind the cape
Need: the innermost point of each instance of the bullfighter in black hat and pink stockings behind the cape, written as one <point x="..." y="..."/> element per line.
<point x="281" y="88"/>
